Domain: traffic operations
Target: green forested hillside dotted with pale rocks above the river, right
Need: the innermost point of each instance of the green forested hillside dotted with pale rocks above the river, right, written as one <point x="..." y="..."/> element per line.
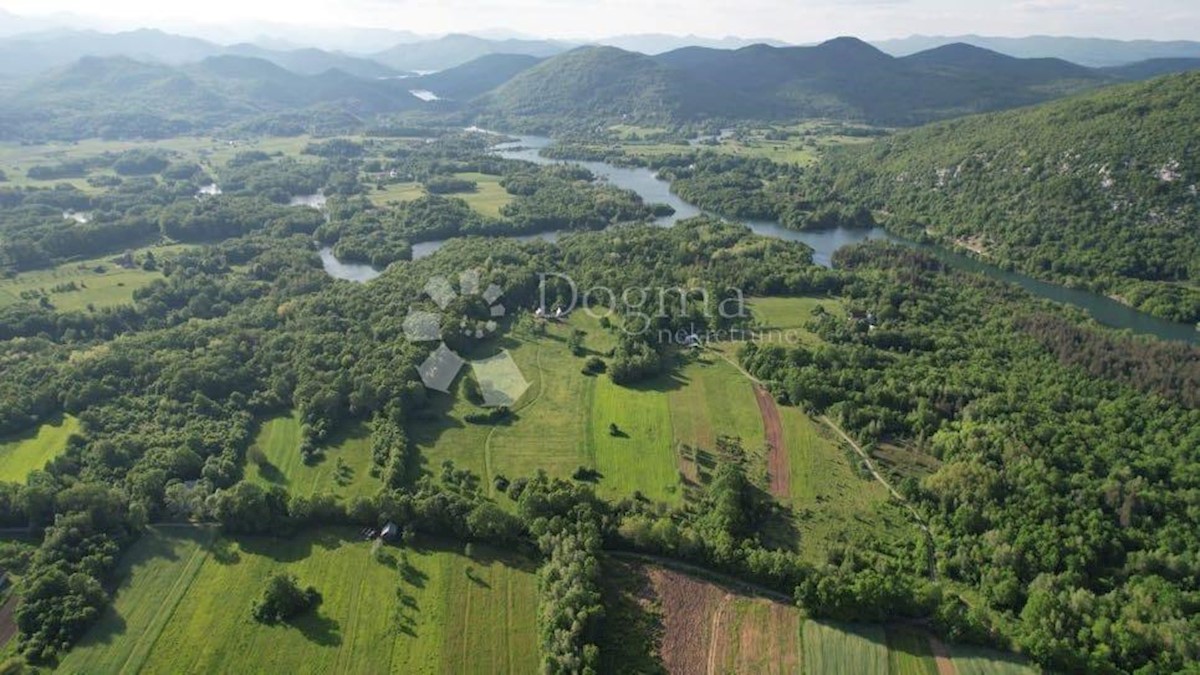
<point x="1101" y="189"/>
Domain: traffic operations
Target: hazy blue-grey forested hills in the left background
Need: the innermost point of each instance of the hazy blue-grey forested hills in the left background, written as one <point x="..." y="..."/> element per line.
<point x="118" y="97"/>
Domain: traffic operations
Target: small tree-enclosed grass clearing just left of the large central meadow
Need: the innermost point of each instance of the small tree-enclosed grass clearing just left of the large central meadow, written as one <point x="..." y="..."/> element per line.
<point x="345" y="467"/>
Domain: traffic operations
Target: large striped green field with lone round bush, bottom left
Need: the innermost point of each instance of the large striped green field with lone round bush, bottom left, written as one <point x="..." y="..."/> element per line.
<point x="185" y="607"/>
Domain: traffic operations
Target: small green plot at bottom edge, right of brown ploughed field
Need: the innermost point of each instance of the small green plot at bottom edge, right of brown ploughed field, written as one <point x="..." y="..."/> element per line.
<point x="844" y="648"/>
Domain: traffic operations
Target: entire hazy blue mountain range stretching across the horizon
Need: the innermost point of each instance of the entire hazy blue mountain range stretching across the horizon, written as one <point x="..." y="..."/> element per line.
<point x="187" y="89"/>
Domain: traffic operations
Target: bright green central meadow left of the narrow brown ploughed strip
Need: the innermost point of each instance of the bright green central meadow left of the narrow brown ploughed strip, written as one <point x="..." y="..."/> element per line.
<point x="549" y="432"/>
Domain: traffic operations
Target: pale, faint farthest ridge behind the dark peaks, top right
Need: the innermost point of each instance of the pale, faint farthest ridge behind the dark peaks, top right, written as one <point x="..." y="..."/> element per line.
<point x="1085" y="51"/>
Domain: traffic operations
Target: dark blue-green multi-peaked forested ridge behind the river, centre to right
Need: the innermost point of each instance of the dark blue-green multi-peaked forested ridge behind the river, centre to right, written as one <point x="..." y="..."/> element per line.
<point x="842" y="79"/>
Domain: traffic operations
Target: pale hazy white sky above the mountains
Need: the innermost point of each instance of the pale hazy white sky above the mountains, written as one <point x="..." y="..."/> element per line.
<point x="797" y="21"/>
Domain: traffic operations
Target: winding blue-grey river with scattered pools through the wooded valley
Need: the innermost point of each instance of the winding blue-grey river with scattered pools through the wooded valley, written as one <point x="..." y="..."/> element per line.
<point x="824" y="243"/>
